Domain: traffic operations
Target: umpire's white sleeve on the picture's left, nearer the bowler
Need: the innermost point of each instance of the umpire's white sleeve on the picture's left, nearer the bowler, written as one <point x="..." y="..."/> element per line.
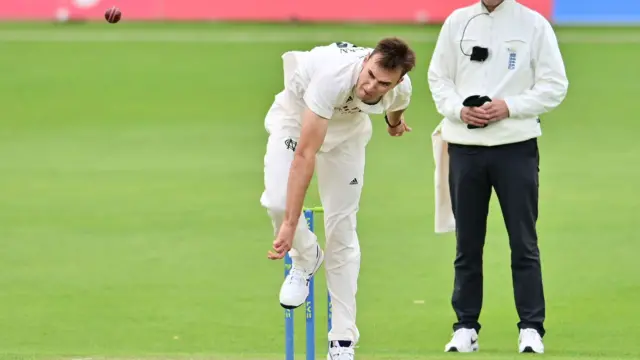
<point x="441" y="74"/>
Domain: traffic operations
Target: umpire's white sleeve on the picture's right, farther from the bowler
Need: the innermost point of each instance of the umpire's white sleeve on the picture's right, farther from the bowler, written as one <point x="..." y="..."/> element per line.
<point x="551" y="83"/>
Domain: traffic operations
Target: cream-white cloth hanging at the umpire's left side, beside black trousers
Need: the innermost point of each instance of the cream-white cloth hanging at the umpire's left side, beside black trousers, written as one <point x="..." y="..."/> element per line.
<point x="444" y="219"/>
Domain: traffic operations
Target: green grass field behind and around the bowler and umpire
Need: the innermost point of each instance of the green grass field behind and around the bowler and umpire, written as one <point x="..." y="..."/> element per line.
<point x="130" y="223"/>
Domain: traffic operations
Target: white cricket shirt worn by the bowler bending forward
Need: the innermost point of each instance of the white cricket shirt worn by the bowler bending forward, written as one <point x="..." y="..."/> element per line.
<point x="324" y="80"/>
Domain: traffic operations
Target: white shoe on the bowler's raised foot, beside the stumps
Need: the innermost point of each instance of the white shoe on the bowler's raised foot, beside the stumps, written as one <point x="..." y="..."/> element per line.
<point x="295" y="288"/>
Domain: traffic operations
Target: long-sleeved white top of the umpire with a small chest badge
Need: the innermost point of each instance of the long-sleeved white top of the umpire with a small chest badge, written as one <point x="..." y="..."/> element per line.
<point x="524" y="68"/>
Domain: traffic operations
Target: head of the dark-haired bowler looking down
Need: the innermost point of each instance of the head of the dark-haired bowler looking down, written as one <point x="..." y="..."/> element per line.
<point x="384" y="68"/>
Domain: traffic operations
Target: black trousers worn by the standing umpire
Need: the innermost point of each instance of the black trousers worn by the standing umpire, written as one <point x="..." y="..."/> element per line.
<point x="512" y="170"/>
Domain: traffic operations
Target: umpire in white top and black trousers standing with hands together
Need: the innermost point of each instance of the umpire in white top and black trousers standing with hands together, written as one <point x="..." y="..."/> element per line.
<point x="496" y="67"/>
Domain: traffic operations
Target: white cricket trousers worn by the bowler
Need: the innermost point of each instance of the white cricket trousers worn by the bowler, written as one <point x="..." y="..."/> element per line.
<point x="340" y="174"/>
